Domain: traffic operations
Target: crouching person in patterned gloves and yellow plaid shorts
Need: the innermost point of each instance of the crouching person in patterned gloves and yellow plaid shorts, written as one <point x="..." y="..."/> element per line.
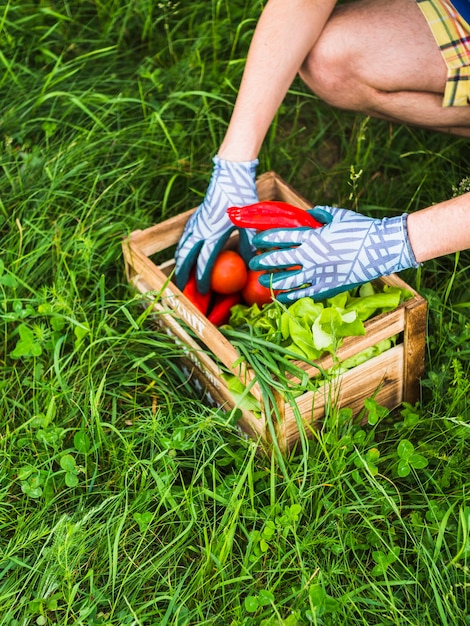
<point x="405" y="61"/>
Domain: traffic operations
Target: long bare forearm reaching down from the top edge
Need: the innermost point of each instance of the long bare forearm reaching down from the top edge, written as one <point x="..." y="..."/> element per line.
<point x="285" y="34"/>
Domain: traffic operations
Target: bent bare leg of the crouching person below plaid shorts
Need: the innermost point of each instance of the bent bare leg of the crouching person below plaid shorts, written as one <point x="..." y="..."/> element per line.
<point x="379" y="57"/>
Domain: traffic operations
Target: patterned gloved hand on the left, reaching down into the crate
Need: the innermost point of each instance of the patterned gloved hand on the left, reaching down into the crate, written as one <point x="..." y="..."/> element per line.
<point x="207" y="230"/>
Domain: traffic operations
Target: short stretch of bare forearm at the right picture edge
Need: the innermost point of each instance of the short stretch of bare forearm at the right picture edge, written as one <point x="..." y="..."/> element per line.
<point x="441" y="229"/>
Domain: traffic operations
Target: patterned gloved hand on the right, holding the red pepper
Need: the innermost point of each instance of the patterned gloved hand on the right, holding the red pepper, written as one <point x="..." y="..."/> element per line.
<point x="350" y="249"/>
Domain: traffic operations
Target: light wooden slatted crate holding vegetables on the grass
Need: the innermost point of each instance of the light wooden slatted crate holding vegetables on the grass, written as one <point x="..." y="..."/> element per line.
<point x="391" y="378"/>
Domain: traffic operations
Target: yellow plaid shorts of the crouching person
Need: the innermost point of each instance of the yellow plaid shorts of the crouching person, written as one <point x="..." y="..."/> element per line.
<point x="452" y="34"/>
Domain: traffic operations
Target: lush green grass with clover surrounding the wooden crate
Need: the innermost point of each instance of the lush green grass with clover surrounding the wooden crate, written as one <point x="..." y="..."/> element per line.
<point x="123" y="499"/>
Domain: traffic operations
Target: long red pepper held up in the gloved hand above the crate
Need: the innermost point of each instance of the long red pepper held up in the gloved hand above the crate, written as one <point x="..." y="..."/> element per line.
<point x="271" y="214"/>
